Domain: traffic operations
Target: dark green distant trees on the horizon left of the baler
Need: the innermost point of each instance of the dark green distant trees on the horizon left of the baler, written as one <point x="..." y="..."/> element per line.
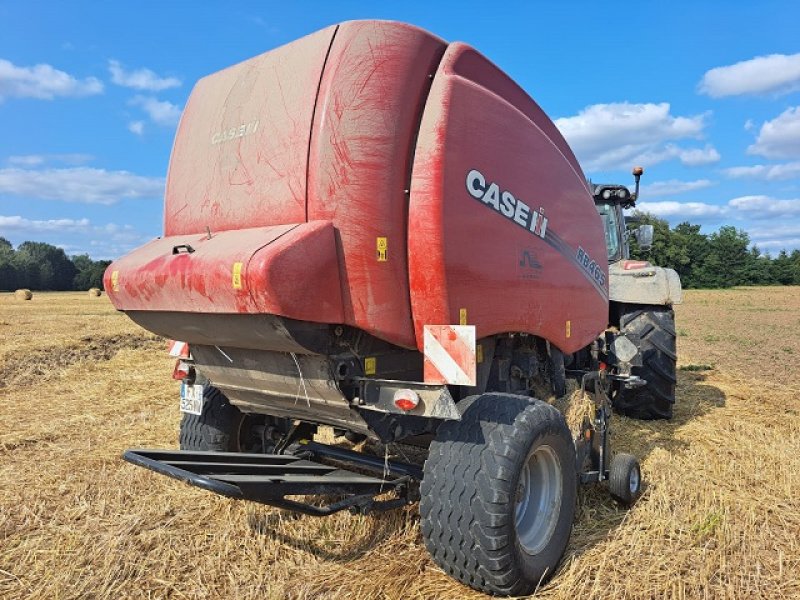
<point x="41" y="266"/>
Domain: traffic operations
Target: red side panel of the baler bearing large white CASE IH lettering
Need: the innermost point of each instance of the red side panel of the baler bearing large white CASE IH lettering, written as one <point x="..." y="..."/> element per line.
<point x="488" y="260"/>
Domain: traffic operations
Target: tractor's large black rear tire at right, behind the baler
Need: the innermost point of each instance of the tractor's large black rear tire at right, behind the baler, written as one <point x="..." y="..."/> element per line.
<point x="655" y="327"/>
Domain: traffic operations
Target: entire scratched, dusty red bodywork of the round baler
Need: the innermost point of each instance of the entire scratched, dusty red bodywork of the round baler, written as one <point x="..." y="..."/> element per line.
<point x="302" y="197"/>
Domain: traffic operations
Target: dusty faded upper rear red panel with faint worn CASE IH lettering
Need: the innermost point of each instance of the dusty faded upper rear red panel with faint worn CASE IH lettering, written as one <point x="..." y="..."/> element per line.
<point x="240" y="156"/>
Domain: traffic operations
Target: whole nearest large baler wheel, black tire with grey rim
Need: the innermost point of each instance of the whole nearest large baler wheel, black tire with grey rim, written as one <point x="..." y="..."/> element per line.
<point x="471" y="501"/>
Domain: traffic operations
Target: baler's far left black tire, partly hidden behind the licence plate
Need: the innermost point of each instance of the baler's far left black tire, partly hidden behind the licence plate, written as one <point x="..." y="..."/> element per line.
<point x="217" y="428"/>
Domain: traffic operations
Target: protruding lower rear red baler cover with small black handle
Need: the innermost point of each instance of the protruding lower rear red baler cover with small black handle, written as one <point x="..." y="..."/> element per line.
<point x="240" y="271"/>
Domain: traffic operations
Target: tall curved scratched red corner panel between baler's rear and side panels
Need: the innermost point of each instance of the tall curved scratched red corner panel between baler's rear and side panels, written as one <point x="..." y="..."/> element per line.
<point x="362" y="147"/>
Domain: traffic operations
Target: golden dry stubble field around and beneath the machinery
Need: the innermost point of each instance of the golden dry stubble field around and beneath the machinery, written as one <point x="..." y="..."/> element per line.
<point x="79" y="383"/>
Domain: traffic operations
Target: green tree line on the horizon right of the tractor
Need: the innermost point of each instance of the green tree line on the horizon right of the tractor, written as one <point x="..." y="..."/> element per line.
<point x="721" y="259"/>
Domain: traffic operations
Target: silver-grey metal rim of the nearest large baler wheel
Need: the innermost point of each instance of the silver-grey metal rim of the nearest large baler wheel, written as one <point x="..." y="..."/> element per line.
<point x="538" y="502"/>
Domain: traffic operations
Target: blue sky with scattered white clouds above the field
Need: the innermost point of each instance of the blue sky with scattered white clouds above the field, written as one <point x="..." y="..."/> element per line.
<point x="705" y="95"/>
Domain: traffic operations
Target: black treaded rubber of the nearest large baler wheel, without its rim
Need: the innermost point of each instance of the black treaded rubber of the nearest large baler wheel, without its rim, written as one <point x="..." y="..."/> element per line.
<point x="465" y="493"/>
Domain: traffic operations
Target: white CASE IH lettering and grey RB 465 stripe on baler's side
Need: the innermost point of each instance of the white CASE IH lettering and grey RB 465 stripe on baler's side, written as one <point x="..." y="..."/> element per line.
<point x="517" y="211"/>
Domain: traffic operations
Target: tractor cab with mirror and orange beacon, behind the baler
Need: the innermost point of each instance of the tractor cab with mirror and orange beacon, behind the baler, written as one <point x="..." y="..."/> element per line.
<point x="611" y="200"/>
